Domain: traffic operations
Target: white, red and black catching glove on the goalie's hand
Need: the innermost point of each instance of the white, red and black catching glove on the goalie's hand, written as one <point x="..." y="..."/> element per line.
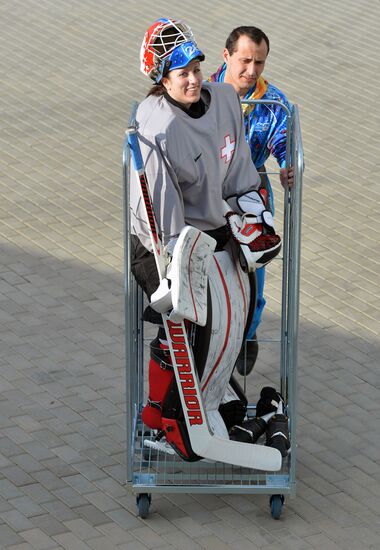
<point x="253" y="230"/>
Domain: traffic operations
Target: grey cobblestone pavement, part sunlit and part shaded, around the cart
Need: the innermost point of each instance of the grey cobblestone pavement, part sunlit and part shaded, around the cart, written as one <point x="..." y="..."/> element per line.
<point x="69" y="74"/>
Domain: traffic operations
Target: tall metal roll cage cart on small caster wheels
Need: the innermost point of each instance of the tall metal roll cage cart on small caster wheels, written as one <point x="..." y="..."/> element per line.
<point x="154" y="471"/>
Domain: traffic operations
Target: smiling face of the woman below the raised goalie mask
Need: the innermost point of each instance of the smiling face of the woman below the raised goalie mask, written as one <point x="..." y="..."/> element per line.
<point x="184" y="85"/>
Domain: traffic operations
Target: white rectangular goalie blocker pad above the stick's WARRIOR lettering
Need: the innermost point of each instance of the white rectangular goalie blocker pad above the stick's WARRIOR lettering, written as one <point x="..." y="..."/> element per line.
<point x="189" y="275"/>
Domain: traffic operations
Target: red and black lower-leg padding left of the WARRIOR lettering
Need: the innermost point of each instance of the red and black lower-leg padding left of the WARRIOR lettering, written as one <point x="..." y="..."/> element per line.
<point x="160" y="377"/>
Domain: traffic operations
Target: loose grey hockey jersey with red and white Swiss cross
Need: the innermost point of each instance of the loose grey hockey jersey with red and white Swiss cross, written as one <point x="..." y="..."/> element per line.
<point x="191" y="164"/>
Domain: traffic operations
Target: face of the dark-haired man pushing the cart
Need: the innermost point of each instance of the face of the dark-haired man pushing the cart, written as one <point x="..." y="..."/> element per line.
<point x="245" y="65"/>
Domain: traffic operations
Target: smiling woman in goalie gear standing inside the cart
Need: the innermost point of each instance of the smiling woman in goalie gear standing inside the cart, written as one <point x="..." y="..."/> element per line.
<point x="195" y="156"/>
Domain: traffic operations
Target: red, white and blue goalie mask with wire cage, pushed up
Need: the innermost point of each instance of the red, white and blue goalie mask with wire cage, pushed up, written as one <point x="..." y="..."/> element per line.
<point x="168" y="44"/>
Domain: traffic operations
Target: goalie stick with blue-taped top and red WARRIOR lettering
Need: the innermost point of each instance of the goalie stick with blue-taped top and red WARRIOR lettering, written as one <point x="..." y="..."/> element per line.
<point x="203" y="442"/>
